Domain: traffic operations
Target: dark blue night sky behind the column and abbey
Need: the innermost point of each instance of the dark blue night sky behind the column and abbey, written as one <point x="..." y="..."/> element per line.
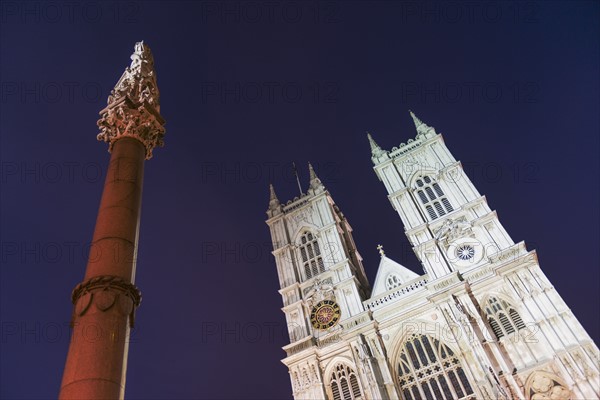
<point x="247" y="88"/>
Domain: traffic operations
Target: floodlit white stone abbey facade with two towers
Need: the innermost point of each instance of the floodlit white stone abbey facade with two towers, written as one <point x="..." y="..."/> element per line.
<point x="482" y="322"/>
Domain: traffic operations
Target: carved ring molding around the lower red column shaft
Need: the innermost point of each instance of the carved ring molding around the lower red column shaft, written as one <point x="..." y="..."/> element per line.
<point x="106" y="292"/>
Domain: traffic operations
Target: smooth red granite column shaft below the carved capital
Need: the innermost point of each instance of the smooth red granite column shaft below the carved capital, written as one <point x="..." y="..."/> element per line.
<point x="105" y="301"/>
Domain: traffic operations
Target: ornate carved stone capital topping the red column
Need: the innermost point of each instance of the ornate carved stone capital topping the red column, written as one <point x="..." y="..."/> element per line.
<point x="133" y="108"/>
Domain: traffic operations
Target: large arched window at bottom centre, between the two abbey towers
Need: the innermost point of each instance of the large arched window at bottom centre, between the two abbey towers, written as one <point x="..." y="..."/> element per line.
<point x="427" y="369"/>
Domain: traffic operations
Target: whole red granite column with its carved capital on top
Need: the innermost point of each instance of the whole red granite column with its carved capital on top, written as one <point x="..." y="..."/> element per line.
<point x="105" y="302"/>
